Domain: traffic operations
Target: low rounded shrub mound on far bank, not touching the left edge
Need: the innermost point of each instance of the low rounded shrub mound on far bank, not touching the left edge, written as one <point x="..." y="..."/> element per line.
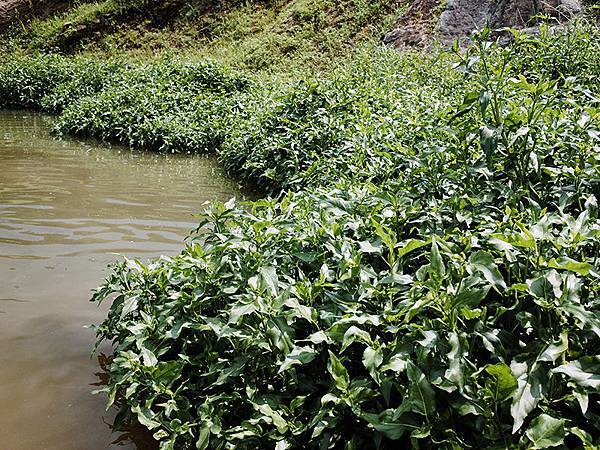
<point x="171" y="106"/>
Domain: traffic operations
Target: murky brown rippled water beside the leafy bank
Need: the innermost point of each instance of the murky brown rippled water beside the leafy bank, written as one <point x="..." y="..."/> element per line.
<point x="66" y="208"/>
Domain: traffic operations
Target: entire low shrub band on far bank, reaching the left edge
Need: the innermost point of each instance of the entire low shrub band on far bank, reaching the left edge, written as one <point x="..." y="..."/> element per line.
<point x="168" y="105"/>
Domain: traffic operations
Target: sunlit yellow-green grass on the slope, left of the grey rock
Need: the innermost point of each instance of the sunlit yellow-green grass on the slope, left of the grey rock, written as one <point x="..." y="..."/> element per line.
<point x="273" y="36"/>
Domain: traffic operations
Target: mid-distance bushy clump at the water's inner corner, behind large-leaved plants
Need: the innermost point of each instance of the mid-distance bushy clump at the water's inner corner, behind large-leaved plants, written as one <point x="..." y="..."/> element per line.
<point x="320" y="130"/>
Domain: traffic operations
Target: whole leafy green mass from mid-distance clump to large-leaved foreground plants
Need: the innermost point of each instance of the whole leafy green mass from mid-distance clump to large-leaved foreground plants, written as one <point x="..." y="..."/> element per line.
<point x="444" y="295"/>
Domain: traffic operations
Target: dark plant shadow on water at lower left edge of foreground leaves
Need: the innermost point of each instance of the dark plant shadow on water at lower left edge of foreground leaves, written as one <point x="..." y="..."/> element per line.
<point x="127" y="434"/>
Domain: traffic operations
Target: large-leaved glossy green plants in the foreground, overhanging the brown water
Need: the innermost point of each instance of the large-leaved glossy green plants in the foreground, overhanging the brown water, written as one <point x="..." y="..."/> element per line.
<point x="307" y="324"/>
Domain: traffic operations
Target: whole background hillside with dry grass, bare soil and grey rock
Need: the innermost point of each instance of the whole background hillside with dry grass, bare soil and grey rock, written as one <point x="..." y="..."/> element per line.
<point x="269" y="34"/>
